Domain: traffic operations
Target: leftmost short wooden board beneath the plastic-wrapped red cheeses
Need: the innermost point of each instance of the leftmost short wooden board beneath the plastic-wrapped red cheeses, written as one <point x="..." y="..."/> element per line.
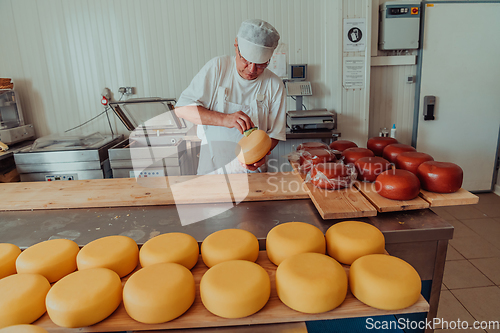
<point x="337" y="204"/>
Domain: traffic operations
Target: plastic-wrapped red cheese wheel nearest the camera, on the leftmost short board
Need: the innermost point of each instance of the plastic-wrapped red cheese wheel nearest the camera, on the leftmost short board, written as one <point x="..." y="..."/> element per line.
<point x="331" y="176"/>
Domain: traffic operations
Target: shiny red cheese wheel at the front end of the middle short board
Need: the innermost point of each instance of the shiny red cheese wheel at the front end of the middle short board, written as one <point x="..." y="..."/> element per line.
<point x="397" y="185"/>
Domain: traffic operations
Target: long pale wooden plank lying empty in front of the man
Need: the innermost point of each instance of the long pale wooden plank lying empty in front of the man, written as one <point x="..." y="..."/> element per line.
<point x="123" y="192"/>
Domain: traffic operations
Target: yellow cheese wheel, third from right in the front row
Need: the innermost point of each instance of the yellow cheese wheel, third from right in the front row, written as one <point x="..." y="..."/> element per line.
<point x="235" y="289"/>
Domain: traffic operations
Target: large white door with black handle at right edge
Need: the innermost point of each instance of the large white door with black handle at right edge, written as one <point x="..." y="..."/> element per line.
<point x="460" y="63"/>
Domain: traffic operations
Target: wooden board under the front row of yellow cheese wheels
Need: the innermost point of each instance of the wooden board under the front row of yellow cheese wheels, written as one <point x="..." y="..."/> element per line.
<point x="198" y="316"/>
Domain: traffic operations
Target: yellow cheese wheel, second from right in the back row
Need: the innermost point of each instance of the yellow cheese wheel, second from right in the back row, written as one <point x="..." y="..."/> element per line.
<point x="288" y="239"/>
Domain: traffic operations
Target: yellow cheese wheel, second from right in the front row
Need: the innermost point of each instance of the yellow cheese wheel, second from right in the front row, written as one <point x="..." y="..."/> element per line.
<point x="311" y="282"/>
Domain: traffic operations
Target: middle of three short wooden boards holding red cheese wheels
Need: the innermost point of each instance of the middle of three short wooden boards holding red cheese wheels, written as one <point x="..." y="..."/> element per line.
<point x="387" y="205"/>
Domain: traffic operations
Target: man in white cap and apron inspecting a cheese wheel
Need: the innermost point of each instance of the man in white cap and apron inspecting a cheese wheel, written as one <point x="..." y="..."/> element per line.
<point x="233" y="94"/>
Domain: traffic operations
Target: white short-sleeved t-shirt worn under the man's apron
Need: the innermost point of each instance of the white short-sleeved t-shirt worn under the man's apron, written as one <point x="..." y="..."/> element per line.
<point x="202" y="91"/>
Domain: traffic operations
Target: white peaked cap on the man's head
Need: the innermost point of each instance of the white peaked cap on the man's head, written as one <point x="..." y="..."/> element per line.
<point x="257" y="40"/>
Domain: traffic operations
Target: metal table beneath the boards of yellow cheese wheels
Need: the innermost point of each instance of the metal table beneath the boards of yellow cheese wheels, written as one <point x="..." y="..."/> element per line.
<point x="419" y="237"/>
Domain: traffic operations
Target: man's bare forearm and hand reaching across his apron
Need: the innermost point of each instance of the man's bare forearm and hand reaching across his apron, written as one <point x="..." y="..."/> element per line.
<point x="202" y="116"/>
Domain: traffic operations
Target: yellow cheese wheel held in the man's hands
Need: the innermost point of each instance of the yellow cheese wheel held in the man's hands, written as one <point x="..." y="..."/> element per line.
<point x="254" y="147"/>
